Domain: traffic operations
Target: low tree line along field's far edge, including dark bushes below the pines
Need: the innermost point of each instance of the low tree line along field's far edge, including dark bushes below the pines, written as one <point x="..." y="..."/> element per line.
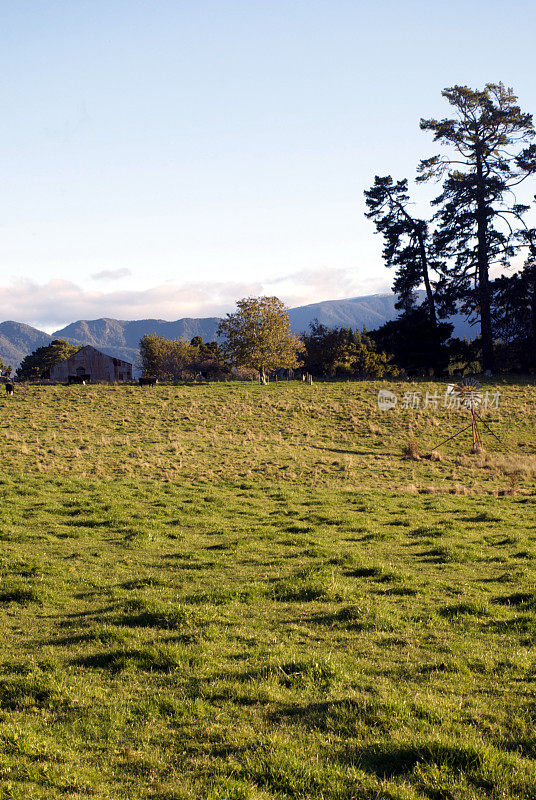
<point x="257" y="340"/>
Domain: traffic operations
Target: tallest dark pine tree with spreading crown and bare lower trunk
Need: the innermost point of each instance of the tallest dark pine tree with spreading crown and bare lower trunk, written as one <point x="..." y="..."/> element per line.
<point x="479" y="223"/>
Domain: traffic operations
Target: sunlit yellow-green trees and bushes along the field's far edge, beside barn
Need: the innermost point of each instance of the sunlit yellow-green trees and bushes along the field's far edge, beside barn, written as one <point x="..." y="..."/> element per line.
<point x="256" y="340"/>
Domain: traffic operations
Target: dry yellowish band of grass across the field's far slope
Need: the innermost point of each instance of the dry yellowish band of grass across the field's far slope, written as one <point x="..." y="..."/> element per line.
<point x="336" y="436"/>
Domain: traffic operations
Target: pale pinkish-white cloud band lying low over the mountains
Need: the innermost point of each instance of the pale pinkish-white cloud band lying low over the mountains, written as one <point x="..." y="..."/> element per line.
<point x="53" y="304"/>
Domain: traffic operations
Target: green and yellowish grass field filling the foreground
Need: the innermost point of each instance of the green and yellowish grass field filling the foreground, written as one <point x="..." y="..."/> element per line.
<point x="233" y="591"/>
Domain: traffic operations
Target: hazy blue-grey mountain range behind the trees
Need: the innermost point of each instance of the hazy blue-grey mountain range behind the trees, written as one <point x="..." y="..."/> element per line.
<point x="120" y="338"/>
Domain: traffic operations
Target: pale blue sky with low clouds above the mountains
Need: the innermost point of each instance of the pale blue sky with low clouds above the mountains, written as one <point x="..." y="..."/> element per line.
<point x="163" y="158"/>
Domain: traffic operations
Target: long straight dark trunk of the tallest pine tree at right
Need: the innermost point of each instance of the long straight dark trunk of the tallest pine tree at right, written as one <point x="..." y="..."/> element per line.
<point x="483" y="274"/>
